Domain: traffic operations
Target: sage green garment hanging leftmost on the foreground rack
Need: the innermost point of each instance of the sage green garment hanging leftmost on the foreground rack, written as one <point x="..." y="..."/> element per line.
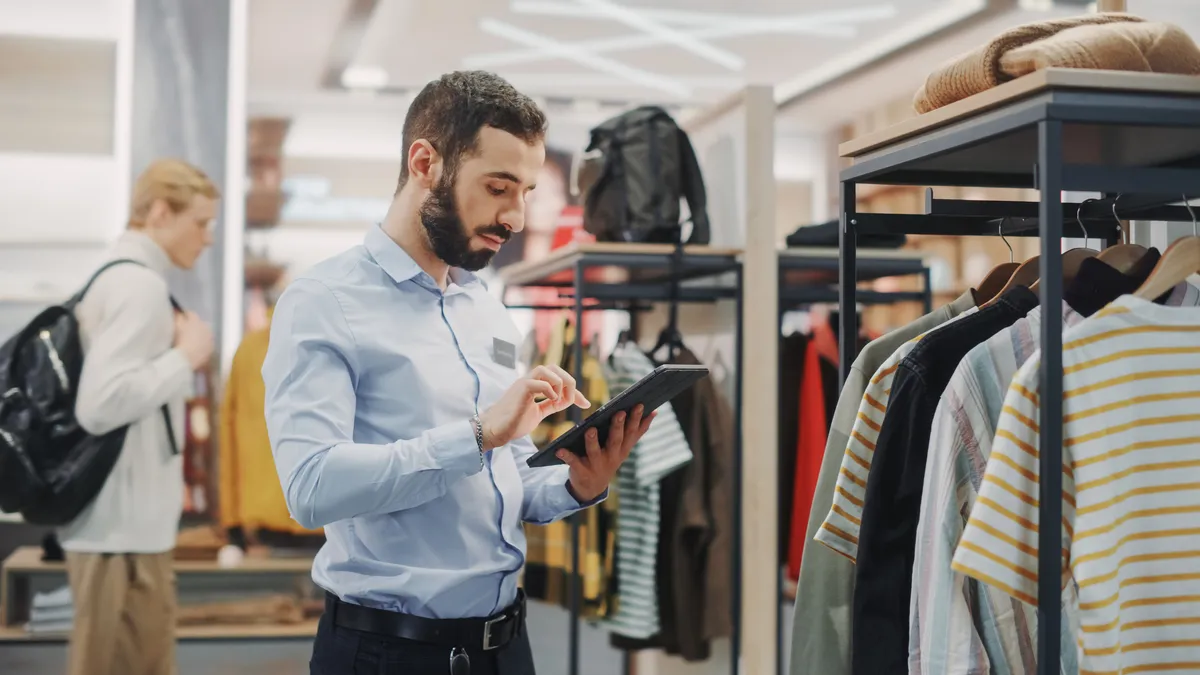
<point x="821" y="623"/>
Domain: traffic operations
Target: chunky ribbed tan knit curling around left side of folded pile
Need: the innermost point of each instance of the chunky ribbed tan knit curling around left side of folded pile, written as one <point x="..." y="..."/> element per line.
<point x="980" y="69"/>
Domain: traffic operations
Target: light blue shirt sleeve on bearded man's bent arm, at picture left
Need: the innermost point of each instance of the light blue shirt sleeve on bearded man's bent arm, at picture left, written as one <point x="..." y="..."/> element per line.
<point x="310" y="375"/>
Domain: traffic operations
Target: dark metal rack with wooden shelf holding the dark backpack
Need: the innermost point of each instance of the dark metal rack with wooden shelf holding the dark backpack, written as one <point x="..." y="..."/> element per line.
<point x="637" y="274"/>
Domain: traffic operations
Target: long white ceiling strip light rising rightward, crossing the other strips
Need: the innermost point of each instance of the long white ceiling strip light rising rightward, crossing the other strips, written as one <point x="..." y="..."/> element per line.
<point x="825" y="25"/>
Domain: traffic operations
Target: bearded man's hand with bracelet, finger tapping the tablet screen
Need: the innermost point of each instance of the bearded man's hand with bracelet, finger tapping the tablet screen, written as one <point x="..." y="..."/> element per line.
<point x="519" y="411"/>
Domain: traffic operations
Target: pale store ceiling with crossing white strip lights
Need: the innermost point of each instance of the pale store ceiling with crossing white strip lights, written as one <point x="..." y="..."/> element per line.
<point x="593" y="57"/>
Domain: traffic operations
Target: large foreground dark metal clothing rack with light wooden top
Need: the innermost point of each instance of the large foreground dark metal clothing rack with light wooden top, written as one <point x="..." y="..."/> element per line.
<point x="1133" y="138"/>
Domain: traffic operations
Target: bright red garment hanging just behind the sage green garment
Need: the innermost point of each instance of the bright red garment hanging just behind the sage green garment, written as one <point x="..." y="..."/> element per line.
<point x="809" y="453"/>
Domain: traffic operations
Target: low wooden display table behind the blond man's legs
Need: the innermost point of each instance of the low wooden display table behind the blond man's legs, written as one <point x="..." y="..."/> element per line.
<point x="25" y="574"/>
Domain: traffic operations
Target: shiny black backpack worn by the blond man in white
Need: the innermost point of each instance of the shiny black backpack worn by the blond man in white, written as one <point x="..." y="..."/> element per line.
<point x="51" y="469"/>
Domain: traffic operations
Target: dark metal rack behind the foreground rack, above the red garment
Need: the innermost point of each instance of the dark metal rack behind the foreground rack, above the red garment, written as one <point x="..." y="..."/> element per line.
<point x="808" y="277"/>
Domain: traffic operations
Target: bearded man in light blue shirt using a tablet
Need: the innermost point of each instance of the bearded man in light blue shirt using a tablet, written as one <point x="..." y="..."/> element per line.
<point x="397" y="416"/>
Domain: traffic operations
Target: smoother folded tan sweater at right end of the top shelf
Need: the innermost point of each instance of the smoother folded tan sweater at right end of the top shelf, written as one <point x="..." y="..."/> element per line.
<point x="1142" y="47"/>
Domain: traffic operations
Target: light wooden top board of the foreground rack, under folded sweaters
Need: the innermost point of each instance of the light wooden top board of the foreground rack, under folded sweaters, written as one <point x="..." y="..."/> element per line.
<point x="1021" y="88"/>
